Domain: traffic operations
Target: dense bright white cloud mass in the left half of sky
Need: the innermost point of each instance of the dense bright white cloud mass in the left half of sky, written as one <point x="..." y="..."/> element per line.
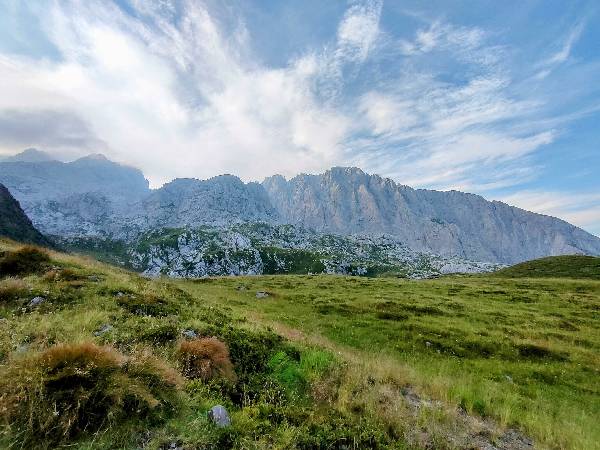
<point x="186" y="100"/>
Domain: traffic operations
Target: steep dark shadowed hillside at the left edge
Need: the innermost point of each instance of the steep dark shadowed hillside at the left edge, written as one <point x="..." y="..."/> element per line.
<point x="14" y="224"/>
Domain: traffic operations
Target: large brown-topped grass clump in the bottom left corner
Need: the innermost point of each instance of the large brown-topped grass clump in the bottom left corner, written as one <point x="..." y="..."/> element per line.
<point x="51" y="397"/>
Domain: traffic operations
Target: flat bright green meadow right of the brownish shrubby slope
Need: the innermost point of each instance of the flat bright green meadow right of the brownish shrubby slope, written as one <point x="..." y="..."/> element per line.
<point x="525" y="352"/>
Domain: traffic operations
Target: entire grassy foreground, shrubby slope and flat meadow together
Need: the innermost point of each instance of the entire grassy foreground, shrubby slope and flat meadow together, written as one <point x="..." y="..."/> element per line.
<point x="106" y="360"/>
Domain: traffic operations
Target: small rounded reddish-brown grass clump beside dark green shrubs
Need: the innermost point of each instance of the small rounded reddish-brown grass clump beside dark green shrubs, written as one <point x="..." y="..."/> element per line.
<point x="206" y="358"/>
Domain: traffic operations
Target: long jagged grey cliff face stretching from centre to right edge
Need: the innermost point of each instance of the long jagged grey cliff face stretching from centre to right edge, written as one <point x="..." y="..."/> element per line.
<point x="349" y="201"/>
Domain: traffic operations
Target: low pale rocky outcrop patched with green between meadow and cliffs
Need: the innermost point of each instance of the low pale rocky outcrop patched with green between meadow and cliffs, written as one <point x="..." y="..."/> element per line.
<point x="260" y="248"/>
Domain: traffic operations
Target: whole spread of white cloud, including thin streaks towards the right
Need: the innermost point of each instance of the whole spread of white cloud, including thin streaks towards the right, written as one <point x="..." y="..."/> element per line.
<point x="181" y="93"/>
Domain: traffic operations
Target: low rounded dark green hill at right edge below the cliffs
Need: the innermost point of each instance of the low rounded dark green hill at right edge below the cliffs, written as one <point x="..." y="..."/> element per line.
<point x="570" y="266"/>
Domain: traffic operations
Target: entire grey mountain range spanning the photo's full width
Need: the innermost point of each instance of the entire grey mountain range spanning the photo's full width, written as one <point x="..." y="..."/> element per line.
<point x="93" y="197"/>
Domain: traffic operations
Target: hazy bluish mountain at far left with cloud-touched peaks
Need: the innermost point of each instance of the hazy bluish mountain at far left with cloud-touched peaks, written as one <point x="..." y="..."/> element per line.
<point x="78" y="198"/>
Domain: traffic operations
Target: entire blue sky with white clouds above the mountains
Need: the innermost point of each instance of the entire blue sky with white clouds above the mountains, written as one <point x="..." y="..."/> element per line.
<point x="501" y="99"/>
